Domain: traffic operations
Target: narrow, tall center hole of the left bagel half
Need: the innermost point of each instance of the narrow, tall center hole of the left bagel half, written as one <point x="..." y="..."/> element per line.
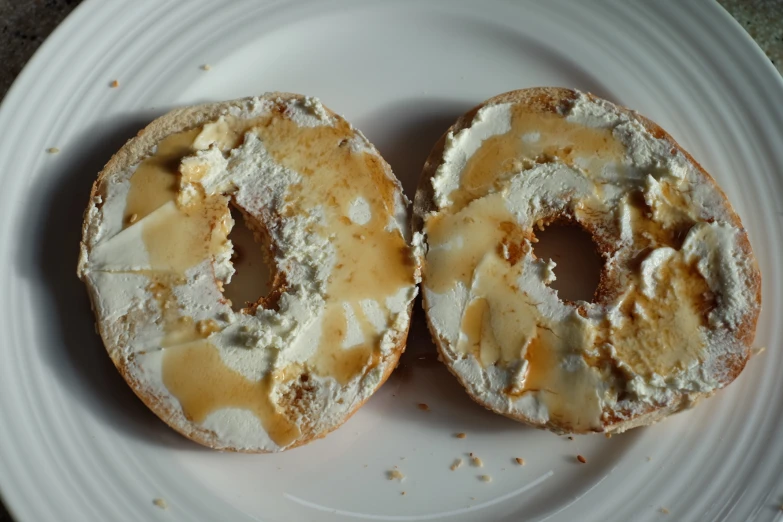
<point x="252" y="279"/>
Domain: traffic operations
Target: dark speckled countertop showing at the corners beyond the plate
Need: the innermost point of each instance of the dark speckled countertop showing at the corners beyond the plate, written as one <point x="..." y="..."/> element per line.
<point x="26" y="24"/>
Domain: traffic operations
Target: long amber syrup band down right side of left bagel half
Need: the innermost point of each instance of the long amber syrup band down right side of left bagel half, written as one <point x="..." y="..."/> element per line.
<point x="372" y="262"/>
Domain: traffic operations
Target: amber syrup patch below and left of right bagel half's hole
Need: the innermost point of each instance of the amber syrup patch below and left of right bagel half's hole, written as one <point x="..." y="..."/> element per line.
<point x="502" y="326"/>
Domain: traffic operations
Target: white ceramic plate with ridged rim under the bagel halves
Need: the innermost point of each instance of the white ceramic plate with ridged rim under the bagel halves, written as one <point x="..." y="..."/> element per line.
<point x="75" y="444"/>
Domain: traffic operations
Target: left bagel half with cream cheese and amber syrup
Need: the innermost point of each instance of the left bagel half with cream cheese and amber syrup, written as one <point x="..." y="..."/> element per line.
<point x="332" y="222"/>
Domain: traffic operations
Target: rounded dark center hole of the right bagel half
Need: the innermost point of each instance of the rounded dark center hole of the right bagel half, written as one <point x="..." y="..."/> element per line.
<point x="579" y="265"/>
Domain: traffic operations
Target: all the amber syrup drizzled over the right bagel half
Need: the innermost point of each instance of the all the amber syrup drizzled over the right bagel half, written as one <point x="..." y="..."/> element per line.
<point x="469" y="240"/>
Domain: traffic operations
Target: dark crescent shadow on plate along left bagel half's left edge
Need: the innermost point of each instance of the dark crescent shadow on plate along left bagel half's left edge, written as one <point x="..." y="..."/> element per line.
<point x="72" y="349"/>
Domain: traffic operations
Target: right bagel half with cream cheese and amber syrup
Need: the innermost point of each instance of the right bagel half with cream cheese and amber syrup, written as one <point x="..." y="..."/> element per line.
<point x="679" y="294"/>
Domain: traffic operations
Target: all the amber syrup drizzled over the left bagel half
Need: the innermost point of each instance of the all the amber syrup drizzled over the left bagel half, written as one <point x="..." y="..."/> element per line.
<point x="372" y="263"/>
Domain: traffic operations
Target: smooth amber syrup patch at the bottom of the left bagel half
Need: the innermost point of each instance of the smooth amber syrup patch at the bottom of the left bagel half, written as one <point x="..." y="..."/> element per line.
<point x="202" y="383"/>
